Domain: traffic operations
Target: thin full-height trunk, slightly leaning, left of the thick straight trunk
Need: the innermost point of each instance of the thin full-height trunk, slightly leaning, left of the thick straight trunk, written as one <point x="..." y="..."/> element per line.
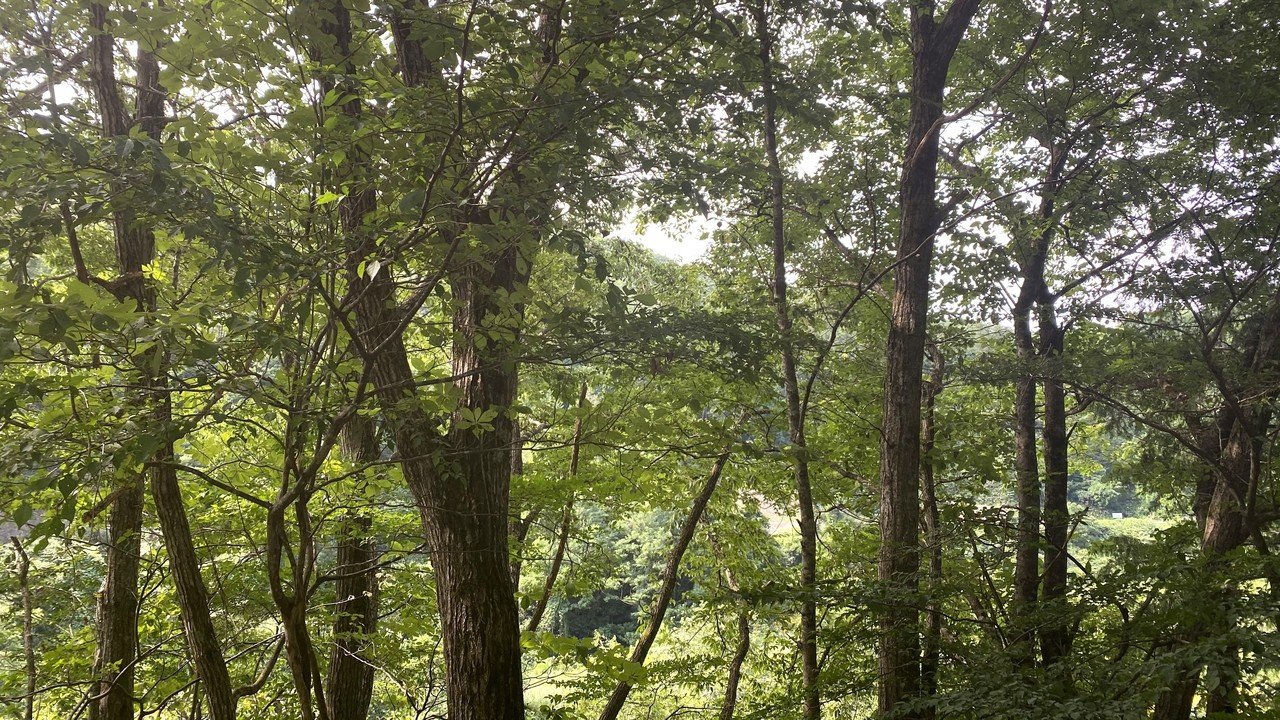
<point x="790" y="384"/>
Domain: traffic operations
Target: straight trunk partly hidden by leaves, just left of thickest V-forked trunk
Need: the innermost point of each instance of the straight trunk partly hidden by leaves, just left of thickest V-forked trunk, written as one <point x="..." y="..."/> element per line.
<point x="350" y="685"/>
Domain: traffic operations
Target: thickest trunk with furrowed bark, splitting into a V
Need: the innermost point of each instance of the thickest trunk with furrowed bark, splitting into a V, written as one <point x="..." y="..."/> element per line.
<point x="460" y="482"/>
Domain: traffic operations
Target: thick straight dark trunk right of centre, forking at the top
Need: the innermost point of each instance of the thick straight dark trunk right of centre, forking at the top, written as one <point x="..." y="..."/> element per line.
<point x="932" y="47"/>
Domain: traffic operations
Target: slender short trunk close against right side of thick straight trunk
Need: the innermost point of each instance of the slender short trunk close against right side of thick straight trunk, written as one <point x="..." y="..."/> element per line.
<point x="931" y="658"/>
